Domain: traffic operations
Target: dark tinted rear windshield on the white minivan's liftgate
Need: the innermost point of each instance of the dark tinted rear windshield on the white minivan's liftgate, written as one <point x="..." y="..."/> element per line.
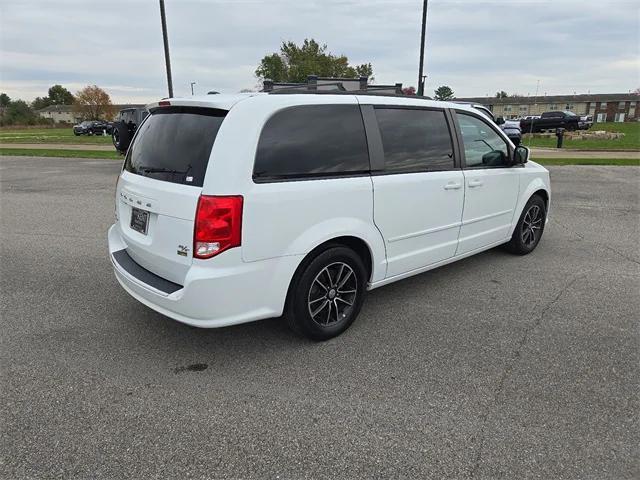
<point x="174" y="144"/>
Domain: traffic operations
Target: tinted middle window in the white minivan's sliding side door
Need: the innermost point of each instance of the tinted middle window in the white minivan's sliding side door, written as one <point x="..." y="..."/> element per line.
<point x="415" y="140"/>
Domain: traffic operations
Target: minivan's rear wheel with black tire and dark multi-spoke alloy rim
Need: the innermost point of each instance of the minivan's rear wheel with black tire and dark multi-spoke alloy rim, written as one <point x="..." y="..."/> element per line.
<point x="325" y="280"/>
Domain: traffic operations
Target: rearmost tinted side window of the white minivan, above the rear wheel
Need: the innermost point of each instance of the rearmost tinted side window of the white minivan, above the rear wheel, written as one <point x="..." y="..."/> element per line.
<point x="311" y="141"/>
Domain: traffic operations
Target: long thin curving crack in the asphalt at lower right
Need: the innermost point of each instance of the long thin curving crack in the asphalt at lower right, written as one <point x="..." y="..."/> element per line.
<point x="511" y="364"/>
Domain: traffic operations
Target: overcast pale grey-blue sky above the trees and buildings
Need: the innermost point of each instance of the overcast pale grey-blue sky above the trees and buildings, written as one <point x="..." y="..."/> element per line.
<point x="475" y="46"/>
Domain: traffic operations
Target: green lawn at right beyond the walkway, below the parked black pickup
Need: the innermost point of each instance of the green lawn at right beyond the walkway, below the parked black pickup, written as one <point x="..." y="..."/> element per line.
<point x="630" y="141"/>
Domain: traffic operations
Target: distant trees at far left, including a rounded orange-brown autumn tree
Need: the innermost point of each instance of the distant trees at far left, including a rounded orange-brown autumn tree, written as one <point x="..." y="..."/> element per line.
<point x="89" y="103"/>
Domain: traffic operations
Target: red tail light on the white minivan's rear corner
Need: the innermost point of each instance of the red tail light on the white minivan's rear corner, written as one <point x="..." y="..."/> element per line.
<point x="218" y="225"/>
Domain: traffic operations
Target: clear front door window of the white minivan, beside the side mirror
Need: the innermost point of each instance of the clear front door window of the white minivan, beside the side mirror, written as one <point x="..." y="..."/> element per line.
<point x="483" y="147"/>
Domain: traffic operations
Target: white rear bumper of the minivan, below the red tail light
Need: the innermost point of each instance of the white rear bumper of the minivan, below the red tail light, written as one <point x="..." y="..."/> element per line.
<point x="216" y="292"/>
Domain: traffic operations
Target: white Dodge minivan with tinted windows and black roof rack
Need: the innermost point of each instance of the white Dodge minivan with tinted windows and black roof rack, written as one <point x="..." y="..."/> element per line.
<point x="234" y="208"/>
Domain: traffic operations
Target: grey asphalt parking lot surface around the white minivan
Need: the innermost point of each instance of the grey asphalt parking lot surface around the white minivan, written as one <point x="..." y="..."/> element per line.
<point x="493" y="367"/>
